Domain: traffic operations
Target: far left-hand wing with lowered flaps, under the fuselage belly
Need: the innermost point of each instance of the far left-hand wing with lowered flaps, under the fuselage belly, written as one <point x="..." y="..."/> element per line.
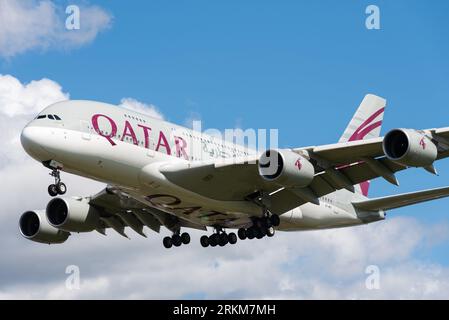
<point x="119" y="210"/>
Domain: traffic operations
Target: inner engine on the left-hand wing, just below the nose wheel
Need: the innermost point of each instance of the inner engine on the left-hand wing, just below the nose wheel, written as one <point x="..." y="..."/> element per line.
<point x="73" y="215"/>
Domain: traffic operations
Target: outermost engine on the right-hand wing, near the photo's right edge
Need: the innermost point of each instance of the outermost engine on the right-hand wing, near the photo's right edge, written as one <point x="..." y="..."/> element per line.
<point x="409" y="147"/>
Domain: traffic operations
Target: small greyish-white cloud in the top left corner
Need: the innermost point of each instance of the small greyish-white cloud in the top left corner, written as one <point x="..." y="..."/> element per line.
<point x="30" y="24"/>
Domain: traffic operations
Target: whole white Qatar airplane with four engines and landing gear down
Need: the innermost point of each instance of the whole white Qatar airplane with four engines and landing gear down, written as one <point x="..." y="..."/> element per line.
<point x="159" y="174"/>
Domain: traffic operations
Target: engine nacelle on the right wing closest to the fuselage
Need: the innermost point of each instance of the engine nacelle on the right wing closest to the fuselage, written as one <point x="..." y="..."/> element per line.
<point x="286" y="168"/>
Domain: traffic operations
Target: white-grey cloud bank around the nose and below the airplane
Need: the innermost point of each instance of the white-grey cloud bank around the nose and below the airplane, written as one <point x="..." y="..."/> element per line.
<point x="323" y="264"/>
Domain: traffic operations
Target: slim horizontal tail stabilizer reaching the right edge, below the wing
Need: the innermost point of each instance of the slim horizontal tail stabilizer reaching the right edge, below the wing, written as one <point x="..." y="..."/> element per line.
<point x="401" y="200"/>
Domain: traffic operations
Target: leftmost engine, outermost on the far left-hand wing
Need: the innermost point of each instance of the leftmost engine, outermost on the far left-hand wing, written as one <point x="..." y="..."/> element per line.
<point x="34" y="227"/>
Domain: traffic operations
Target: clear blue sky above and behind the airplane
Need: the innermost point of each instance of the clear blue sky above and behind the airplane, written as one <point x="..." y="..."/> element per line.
<point x="299" y="66"/>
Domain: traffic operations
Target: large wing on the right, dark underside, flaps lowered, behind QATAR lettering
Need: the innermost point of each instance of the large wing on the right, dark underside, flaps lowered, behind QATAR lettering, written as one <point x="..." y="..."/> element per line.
<point x="337" y="166"/>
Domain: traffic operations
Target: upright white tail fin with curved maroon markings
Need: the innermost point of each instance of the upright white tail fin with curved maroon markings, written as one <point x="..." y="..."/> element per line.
<point x="365" y="124"/>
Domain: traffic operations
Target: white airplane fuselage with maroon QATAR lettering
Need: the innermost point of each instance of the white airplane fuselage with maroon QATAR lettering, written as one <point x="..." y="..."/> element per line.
<point x="124" y="149"/>
